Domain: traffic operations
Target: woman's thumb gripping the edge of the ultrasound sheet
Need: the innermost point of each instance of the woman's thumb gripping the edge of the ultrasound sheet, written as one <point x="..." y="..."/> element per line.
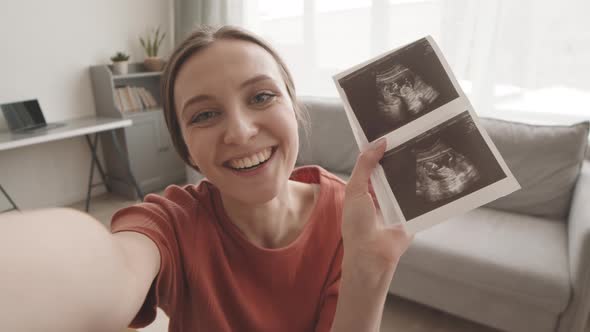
<point x="365" y="164"/>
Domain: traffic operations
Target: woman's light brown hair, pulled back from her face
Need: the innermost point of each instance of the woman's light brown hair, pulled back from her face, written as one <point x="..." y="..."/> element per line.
<point x="197" y="41"/>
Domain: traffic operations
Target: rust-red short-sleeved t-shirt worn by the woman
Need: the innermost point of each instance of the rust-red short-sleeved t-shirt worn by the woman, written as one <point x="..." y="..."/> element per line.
<point x="212" y="278"/>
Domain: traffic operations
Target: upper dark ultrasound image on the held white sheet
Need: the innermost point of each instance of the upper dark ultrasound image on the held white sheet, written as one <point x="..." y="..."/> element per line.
<point x="397" y="89"/>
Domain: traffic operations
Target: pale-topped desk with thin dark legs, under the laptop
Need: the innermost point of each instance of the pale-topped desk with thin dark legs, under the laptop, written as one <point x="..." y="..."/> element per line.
<point x="73" y="128"/>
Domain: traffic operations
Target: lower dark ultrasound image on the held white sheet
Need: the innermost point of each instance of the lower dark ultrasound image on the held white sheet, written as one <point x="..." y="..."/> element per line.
<point x="442" y="165"/>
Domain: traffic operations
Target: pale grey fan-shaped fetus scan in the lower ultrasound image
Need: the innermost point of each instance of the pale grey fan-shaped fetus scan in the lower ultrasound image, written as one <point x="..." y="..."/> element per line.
<point x="442" y="172"/>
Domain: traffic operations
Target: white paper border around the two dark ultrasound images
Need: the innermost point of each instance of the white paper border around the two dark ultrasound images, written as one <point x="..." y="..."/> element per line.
<point x="389" y="206"/>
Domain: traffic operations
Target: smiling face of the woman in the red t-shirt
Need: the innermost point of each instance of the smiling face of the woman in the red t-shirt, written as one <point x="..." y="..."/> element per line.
<point x="237" y="119"/>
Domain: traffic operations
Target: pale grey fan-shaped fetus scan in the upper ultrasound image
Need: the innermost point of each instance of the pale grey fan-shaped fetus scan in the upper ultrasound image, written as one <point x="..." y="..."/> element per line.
<point x="402" y="94"/>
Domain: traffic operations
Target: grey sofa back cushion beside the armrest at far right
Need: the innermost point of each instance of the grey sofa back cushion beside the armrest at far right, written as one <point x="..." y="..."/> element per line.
<point x="545" y="160"/>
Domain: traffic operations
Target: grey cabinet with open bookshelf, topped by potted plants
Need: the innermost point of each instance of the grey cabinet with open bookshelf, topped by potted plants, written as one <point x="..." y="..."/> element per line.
<point x="146" y="144"/>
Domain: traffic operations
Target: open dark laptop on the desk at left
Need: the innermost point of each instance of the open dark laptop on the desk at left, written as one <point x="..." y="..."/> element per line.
<point x="25" y="116"/>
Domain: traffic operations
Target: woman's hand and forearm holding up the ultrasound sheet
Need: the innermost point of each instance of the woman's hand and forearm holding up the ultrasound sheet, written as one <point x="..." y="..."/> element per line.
<point x="371" y="251"/>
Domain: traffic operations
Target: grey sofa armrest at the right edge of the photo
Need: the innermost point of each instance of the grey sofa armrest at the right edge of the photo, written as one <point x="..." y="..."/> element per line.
<point x="574" y="318"/>
